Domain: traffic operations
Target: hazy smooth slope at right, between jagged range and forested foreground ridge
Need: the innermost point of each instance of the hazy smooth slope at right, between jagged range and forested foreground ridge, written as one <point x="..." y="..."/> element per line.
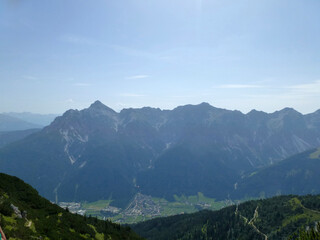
<point x="298" y="174"/>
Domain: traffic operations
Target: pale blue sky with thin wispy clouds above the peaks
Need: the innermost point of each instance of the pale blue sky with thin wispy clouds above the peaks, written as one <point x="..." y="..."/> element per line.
<point x="234" y="54"/>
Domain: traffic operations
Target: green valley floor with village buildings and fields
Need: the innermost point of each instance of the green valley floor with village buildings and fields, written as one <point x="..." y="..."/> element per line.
<point x="144" y="207"/>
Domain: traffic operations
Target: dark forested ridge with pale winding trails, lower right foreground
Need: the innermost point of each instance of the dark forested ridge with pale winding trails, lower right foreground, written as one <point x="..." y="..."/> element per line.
<point x="275" y="218"/>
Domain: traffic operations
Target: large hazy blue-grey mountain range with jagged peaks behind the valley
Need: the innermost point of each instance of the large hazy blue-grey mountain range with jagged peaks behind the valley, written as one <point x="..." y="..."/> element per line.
<point x="99" y="154"/>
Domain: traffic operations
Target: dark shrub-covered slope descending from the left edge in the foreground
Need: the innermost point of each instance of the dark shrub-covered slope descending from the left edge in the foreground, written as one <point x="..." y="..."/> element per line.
<point x="25" y="215"/>
